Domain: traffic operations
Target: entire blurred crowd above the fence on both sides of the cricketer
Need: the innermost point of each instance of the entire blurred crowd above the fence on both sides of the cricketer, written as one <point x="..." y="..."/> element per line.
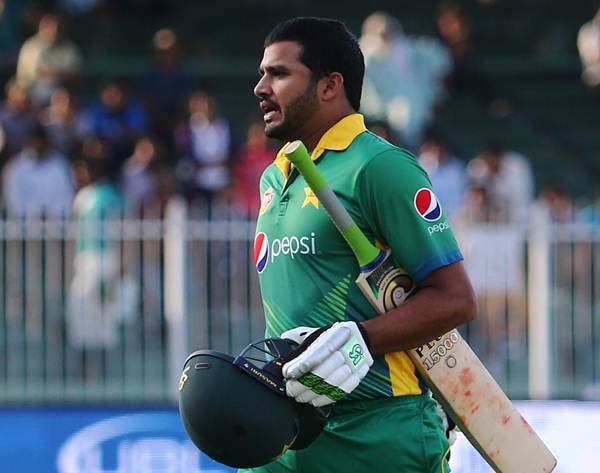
<point x="131" y="146"/>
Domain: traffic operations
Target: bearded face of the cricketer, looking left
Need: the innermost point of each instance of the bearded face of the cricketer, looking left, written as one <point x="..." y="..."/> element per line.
<point x="287" y="93"/>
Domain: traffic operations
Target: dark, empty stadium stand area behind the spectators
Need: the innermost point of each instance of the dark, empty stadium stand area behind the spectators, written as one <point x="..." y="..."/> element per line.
<point x="552" y="117"/>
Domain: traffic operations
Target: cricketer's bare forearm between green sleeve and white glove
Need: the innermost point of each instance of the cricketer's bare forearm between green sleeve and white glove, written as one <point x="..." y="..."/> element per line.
<point x="432" y="311"/>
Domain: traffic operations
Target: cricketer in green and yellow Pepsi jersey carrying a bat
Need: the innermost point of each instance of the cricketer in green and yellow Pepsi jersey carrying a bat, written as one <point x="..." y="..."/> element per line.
<point x="310" y="87"/>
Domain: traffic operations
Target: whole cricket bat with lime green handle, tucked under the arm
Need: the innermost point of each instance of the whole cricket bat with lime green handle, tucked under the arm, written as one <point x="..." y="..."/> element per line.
<point x="459" y="380"/>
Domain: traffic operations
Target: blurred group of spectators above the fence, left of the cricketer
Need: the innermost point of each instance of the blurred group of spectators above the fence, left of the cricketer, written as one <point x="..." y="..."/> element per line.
<point x="145" y="141"/>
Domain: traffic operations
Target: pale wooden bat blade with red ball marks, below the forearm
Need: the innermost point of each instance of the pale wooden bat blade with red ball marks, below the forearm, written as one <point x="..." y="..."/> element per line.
<point x="478" y="405"/>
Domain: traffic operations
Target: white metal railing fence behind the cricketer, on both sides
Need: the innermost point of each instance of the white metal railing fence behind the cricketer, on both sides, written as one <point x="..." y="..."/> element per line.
<point x="115" y="323"/>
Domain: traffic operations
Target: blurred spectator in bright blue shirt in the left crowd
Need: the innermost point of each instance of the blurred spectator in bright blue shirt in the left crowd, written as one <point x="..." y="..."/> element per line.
<point x="116" y="118"/>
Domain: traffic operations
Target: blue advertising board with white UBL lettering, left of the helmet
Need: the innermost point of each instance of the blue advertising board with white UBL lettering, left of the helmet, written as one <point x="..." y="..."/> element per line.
<point x="102" y="440"/>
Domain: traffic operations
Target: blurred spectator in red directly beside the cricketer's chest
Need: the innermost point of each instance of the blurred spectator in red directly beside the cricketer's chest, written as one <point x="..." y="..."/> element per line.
<point x="256" y="154"/>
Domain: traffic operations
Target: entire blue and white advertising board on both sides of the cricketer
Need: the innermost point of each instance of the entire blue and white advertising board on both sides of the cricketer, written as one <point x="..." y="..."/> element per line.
<point x="129" y="440"/>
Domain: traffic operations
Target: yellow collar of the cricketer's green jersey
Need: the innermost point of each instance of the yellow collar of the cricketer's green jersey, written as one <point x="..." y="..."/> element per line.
<point x="337" y="138"/>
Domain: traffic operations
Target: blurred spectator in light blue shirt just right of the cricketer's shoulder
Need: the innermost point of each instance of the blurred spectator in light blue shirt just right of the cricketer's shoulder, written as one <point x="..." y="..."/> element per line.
<point x="446" y="172"/>
